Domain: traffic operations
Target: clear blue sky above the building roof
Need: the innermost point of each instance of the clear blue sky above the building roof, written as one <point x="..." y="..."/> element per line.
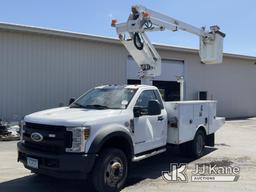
<point x="237" y="18"/>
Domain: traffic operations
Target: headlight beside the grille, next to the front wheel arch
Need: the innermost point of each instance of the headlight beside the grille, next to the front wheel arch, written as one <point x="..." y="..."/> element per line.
<point x="79" y="137"/>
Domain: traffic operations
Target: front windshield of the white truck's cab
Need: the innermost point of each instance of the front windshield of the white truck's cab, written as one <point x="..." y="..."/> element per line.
<point x="105" y="98"/>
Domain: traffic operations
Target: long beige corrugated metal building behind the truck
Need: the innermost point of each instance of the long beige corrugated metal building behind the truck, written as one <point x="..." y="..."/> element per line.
<point x="42" y="68"/>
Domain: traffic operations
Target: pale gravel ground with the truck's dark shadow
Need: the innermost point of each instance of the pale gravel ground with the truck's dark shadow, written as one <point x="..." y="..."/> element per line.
<point x="235" y="146"/>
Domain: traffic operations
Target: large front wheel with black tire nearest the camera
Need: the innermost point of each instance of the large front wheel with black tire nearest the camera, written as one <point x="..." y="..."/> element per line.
<point x="110" y="171"/>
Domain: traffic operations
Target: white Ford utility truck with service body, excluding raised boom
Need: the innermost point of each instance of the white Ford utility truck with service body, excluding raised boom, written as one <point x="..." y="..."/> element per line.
<point x="108" y="127"/>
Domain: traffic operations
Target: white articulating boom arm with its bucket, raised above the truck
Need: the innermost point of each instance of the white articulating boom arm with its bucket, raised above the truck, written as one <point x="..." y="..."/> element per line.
<point x="143" y="20"/>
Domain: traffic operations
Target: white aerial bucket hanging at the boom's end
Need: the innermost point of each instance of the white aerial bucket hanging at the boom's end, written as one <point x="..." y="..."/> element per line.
<point x="211" y="50"/>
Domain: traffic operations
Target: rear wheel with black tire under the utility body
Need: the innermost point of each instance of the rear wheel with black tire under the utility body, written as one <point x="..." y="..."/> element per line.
<point x="198" y="144"/>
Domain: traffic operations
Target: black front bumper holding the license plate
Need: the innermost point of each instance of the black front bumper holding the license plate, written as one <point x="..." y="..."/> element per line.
<point x="69" y="166"/>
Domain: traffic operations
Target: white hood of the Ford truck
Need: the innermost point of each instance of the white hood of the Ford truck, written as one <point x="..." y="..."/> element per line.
<point x="70" y="116"/>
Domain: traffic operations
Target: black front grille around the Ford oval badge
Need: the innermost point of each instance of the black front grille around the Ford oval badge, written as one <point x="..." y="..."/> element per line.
<point x="50" y="144"/>
